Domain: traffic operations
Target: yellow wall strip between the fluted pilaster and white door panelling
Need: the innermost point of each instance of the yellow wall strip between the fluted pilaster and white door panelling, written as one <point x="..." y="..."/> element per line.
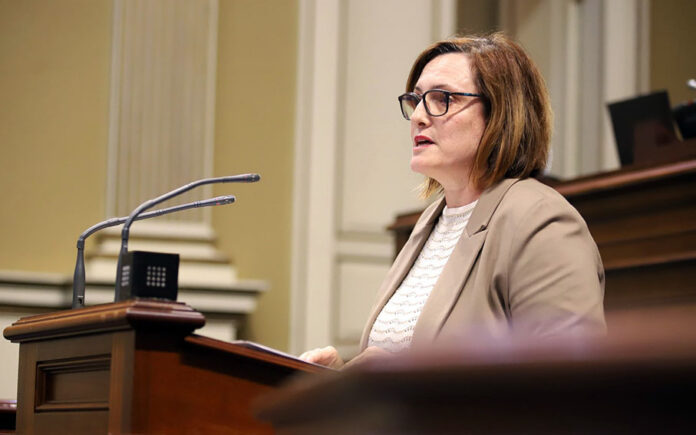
<point x="254" y="133"/>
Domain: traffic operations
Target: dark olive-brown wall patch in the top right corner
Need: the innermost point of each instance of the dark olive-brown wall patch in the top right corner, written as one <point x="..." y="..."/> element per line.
<point x="673" y="48"/>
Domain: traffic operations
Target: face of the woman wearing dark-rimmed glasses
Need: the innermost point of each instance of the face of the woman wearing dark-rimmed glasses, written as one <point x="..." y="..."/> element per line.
<point x="444" y="146"/>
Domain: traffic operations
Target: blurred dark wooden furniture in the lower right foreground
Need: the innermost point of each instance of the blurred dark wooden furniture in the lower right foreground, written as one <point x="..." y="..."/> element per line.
<point x="639" y="380"/>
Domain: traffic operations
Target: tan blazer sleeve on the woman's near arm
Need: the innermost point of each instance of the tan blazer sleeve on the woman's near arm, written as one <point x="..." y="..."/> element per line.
<point x="555" y="278"/>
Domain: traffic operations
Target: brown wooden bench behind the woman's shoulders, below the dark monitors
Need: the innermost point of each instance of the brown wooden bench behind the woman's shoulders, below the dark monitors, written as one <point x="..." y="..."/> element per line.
<point x="643" y="219"/>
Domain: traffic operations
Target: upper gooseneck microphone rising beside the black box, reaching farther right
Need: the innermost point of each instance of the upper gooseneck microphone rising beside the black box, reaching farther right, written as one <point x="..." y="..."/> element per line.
<point x="243" y="178"/>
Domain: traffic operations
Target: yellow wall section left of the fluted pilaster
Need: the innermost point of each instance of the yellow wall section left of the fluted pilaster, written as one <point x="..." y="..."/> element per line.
<point x="54" y="87"/>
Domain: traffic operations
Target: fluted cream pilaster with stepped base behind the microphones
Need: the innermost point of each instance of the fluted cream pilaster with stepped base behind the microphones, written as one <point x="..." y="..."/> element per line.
<point x="161" y="137"/>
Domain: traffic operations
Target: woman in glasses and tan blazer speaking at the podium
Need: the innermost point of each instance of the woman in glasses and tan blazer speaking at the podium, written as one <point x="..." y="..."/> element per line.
<point x="498" y="252"/>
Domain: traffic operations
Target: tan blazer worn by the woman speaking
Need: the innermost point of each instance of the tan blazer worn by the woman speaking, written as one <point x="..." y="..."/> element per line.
<point x="525" y="263"/>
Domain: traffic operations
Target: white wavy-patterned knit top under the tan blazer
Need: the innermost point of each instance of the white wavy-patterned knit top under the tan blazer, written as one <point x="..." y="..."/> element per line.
<point x="393" y="328"/>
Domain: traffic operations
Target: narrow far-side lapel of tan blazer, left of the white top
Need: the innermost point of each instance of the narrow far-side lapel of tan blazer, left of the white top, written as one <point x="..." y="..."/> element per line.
<point x="403" y="263"/>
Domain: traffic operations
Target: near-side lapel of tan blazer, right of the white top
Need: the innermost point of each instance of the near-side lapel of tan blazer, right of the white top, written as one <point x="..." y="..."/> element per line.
<point x="451" y="282"/>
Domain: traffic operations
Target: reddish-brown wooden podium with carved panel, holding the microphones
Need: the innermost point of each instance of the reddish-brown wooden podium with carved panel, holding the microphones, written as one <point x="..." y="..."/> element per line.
<point x="135" y="367"/>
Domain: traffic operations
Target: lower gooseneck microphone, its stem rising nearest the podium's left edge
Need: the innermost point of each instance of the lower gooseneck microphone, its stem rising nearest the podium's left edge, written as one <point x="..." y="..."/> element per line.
<point x="79" y="275"/>
